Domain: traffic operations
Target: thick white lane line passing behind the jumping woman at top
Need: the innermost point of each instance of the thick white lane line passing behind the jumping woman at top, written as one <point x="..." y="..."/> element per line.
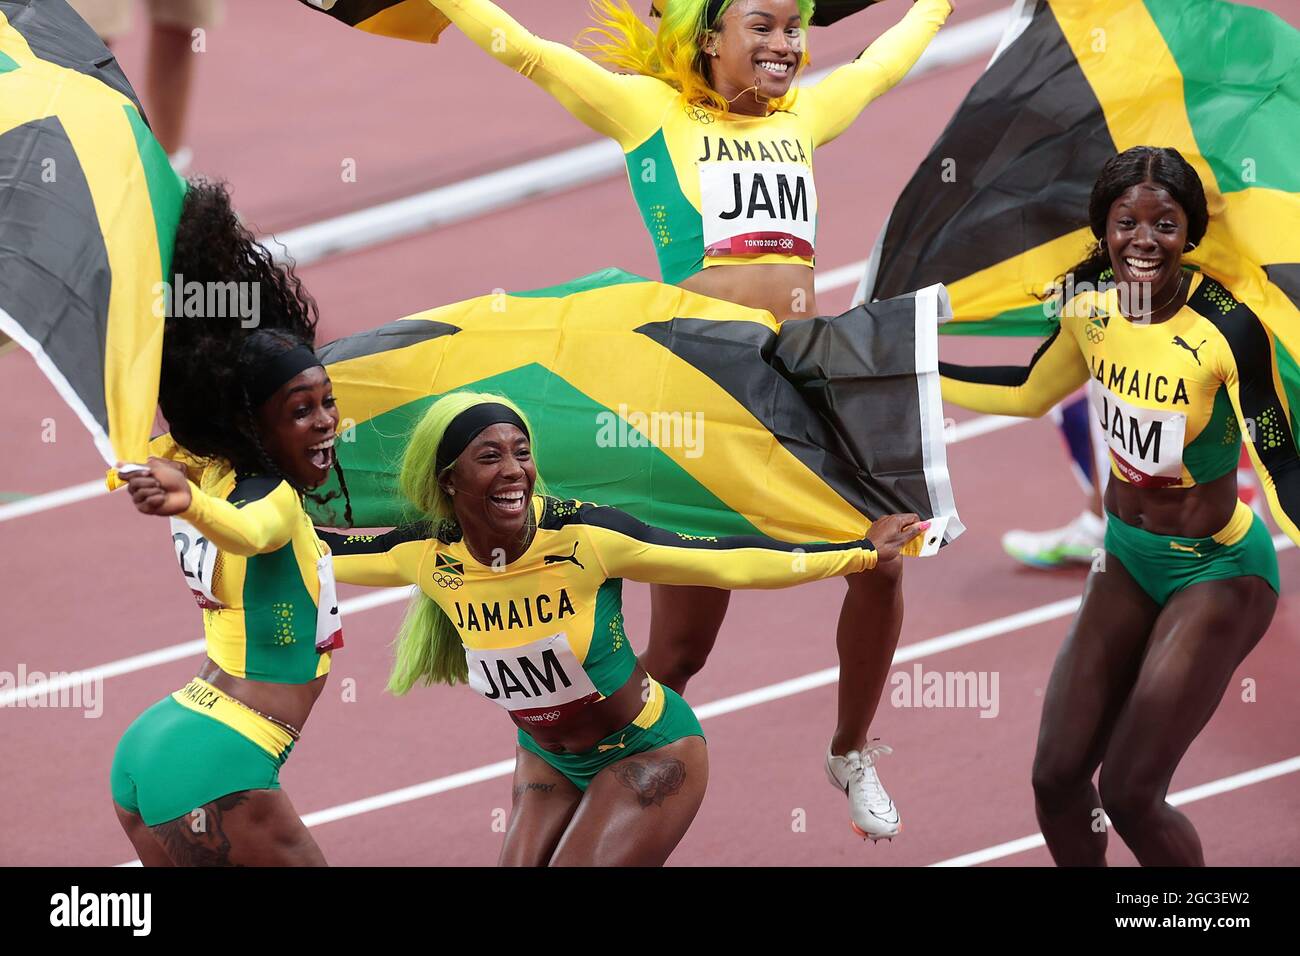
<point x="558" y="172"/>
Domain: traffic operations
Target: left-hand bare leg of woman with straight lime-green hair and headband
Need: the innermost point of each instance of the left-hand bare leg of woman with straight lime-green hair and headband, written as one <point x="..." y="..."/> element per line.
<point x="544" y="803"/>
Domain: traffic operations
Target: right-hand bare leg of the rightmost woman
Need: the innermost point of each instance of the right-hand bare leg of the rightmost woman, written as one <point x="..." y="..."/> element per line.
<point x="1202" y="637"/>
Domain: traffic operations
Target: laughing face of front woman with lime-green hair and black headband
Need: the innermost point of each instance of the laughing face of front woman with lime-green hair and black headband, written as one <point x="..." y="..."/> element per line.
<point x="493" y="483"/>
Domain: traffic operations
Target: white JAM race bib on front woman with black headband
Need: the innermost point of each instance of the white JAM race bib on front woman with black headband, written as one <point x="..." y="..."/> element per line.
<point x="539" y="684"/>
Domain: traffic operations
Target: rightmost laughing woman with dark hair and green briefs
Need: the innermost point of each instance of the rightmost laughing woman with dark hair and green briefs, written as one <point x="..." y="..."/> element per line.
<point x="1177" y="370"/>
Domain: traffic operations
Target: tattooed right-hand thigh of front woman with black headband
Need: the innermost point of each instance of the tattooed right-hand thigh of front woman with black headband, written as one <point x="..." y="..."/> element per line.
<point x="638" y="810"/>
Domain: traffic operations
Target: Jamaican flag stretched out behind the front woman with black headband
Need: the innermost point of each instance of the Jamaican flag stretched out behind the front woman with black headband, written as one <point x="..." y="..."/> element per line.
<point x="690" y="413"/>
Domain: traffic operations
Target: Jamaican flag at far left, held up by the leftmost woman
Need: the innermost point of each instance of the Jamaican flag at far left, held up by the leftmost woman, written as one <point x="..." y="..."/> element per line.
<point x="89" y="207"/>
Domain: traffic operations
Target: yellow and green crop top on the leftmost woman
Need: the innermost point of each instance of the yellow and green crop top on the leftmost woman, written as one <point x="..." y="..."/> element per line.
<point x="257" y="568"/>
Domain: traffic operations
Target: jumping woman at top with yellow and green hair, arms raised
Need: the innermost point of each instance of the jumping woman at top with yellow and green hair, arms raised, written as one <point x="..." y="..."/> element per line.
<point x="720" y="153"/>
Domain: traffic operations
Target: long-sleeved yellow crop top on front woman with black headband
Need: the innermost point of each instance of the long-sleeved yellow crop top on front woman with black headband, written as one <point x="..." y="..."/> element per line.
<point x="544" y="634"/>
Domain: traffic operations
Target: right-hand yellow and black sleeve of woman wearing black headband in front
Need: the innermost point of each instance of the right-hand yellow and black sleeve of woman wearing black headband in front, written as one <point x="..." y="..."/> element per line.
<point x="629" y="548"/>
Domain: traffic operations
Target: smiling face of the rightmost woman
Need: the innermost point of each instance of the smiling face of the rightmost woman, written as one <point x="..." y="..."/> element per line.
<point x="1147" y="233"/>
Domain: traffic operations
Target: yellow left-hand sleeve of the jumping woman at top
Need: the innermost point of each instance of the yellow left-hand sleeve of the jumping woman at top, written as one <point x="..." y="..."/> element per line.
<point x="626" y="109"/>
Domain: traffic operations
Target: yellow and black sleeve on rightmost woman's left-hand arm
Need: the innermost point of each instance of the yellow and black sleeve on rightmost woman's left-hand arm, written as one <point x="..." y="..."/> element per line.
<point x="1056" y="370"/>
